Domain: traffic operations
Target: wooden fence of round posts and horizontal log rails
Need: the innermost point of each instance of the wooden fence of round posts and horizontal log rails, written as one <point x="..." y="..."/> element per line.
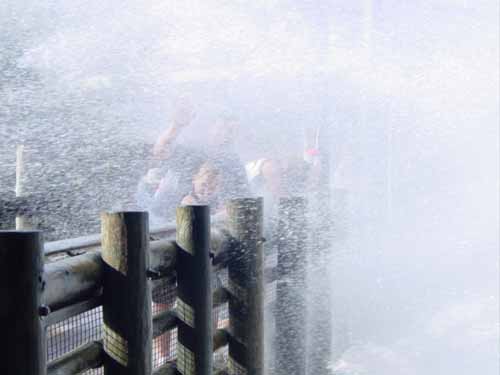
<point x="115" y="272"/>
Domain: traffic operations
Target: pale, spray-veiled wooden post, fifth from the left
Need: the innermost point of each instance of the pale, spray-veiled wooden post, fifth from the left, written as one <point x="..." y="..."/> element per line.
<point x="291" y="306"/>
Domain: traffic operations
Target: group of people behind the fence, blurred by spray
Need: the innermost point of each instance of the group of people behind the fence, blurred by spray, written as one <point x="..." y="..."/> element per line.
<point x="215" y="173"/>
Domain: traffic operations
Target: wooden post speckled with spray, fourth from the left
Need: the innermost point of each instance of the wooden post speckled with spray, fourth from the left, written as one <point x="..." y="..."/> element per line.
<point x="246" y="286"/>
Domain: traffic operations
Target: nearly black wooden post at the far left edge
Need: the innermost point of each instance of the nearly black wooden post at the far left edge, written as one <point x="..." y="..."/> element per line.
<point x="21" y="284"/>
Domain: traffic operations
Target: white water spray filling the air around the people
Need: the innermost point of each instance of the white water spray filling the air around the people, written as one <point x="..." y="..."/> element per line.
<point x="408" y="90"/>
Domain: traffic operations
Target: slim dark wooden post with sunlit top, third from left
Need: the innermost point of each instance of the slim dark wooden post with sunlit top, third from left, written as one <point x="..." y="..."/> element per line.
<point x="194" y="291"/>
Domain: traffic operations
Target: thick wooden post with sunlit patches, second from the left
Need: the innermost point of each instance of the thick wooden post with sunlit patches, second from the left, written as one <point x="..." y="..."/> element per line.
<point x="127" y="320"/>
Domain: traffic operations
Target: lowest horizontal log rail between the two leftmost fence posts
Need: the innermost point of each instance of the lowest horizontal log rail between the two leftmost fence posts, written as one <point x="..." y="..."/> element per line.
<point x="83" y="358"/>
